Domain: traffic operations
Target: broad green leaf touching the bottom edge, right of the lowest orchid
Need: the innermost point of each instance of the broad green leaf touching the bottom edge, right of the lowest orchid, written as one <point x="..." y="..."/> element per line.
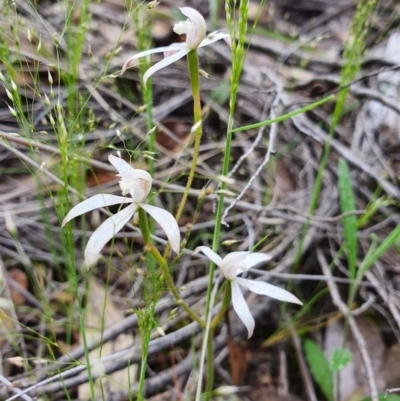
<point x="319" y="366"/>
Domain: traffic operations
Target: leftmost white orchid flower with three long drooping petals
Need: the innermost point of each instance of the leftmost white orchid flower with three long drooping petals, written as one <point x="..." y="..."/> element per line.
<point x="137" y="183"/>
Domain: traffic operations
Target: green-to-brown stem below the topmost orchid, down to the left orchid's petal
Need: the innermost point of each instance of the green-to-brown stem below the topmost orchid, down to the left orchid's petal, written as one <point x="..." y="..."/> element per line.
<point x="193" y="64"/>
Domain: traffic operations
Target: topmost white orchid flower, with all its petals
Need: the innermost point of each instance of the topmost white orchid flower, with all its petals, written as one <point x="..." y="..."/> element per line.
<point x="194" y="28"/>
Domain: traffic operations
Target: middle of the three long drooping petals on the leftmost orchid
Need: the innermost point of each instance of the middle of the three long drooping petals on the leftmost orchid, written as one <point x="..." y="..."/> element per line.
<point x="105" y="232"/>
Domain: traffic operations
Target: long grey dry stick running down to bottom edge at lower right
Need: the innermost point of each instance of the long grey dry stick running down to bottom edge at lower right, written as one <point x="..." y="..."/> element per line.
<point x="353" y="326"/>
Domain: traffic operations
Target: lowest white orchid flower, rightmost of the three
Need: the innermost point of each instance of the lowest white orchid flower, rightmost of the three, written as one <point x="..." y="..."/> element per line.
<point x="236" y="263"/>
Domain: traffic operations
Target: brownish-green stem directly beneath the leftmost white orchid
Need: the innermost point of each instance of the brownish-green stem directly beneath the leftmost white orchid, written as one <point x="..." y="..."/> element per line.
<point x="150" y="248"/>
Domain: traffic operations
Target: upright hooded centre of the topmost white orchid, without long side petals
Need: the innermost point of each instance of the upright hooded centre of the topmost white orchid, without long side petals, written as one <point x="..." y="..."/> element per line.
<point x="195" y="29"/>
